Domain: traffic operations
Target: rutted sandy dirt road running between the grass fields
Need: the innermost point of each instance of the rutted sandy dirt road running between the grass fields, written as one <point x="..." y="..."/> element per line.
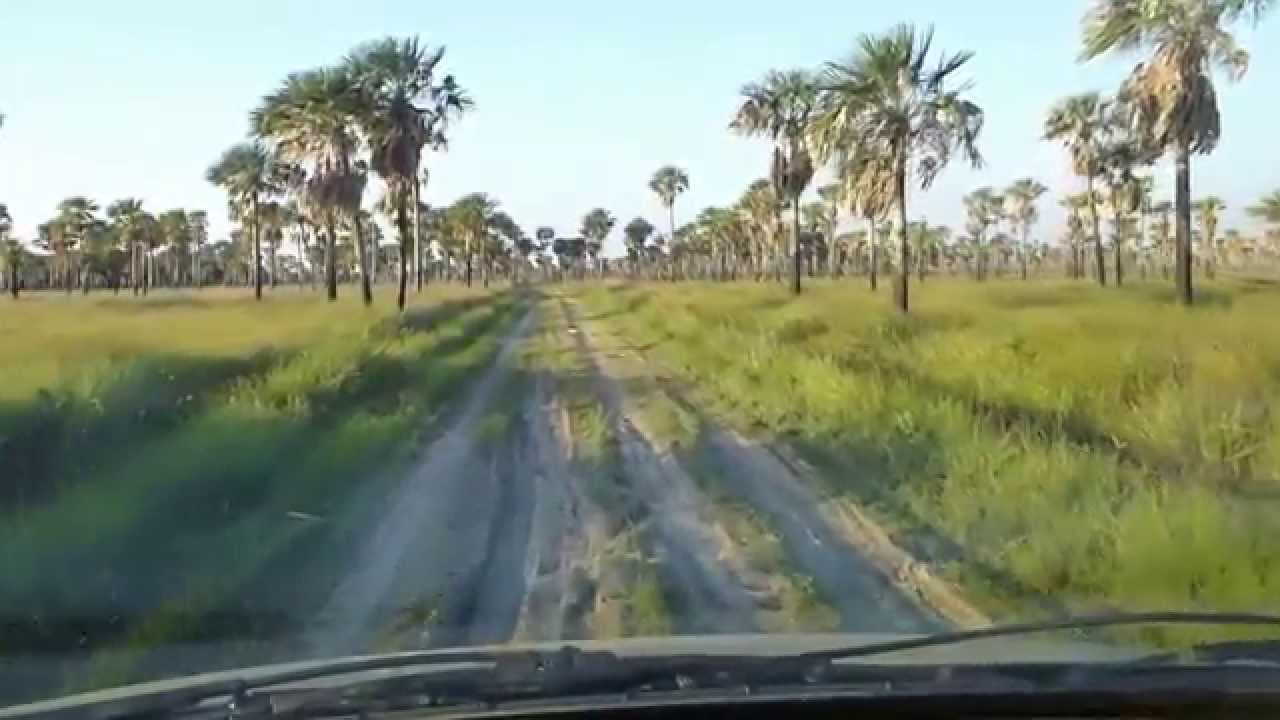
<point x="501" y="534"/>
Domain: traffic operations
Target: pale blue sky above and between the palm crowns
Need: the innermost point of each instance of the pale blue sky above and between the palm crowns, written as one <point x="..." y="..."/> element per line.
<point x="578" y="102"/>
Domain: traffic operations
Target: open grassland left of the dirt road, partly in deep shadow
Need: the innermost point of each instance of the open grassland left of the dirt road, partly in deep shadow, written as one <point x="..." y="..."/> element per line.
<point x="188" y="468"/>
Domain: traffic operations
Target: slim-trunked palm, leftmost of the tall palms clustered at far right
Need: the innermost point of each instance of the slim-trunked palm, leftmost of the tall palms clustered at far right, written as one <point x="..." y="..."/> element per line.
<point x="1081" y="122"/>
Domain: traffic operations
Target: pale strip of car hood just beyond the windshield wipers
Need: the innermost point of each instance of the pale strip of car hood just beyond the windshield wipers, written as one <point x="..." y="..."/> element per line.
<point x="972" y="653"/>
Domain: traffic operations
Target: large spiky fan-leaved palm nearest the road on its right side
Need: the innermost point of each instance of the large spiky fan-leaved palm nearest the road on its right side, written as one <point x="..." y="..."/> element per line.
<point x="888" y="116"/>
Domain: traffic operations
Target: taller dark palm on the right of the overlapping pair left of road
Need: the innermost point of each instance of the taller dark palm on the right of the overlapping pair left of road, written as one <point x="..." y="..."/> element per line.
<point x="404" y="110"/>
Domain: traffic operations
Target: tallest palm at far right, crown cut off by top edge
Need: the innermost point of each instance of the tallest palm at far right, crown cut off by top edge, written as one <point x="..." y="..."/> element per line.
<point x="1173" y="92"/>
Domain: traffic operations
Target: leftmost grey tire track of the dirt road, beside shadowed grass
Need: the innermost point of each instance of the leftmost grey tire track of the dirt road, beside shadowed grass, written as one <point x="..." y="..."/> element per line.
<point x="426" y="563"/>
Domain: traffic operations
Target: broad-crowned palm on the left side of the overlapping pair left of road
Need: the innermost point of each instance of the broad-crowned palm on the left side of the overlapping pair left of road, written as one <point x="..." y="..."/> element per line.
<point x="312" y="121"/>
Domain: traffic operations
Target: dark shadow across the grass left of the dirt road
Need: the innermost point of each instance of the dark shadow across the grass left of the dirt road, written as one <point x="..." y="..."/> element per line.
<point x="191" y="498"/>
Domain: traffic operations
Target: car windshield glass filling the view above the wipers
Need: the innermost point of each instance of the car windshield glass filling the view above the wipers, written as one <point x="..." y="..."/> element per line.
<point x="670" y="321"/>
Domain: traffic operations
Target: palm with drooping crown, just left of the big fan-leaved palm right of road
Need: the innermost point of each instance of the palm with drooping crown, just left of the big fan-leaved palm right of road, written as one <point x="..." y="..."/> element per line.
<point x="781" y="107"/>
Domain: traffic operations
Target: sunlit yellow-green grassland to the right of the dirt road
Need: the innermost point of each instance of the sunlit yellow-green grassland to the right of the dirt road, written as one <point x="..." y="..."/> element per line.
<point x="1053" y="446"/>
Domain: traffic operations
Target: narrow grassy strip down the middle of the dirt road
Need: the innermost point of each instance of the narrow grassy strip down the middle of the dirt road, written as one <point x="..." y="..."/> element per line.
<point x="618" y="590"/>
